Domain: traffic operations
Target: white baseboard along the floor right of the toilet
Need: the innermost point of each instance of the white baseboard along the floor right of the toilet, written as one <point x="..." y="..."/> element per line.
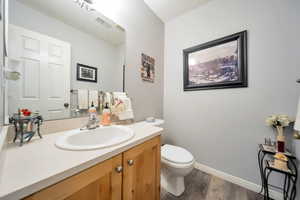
<point x="236" y="180"/>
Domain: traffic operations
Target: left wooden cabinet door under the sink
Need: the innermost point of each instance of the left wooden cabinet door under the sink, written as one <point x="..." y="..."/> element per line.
<point x="100" y="182"/>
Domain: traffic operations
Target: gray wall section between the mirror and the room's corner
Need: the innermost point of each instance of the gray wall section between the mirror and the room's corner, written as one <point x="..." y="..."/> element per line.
<point x="144" y="34"/>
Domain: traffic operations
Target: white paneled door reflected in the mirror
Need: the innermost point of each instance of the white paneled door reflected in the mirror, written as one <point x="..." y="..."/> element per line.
<point x="44" y="65"/>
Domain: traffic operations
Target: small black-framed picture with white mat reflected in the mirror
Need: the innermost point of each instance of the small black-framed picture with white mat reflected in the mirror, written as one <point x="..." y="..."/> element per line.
<point x="89" y="69"/>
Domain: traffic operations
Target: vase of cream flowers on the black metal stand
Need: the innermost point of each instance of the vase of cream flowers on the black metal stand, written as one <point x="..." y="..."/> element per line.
<point x="279" y="122"/>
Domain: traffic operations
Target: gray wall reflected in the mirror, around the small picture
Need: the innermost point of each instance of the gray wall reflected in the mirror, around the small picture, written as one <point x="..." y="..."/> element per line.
<point x="85" y="48"/>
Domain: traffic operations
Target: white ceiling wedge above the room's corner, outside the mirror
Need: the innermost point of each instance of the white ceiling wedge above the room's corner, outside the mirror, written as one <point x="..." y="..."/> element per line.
<point x="169" y="9"/>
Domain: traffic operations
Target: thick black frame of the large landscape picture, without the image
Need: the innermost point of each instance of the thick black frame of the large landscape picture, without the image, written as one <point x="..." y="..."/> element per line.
<point x="242" y="80"/>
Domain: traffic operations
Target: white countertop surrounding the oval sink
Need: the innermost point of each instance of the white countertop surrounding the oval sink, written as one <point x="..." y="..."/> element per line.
<point x="40" y="163"/>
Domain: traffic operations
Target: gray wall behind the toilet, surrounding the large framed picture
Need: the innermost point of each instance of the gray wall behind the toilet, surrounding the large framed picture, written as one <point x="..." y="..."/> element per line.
<point x="223" y="127"/>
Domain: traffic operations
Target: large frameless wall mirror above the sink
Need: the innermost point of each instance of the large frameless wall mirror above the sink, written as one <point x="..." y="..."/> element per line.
<point x="62" y="50"/>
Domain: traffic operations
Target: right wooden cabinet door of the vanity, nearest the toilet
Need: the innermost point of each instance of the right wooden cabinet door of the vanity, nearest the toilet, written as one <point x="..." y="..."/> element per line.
<point x="141" y="175"/>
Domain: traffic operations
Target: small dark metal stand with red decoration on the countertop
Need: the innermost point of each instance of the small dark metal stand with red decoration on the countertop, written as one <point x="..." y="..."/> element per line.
<point x="26" y="125"/>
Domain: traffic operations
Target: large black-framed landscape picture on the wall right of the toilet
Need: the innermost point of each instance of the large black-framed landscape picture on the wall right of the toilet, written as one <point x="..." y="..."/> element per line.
<point x="218" y="64"/>
